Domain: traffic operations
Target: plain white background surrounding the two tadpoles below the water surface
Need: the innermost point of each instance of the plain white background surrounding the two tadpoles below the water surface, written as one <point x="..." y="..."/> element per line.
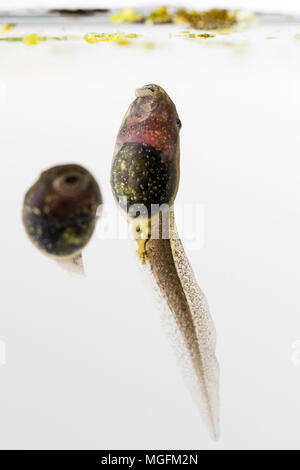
<point x="88" y="364"/>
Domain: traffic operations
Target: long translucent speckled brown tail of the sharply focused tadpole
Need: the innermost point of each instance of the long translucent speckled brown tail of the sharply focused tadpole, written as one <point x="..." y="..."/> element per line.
<point x="176" y="281"/>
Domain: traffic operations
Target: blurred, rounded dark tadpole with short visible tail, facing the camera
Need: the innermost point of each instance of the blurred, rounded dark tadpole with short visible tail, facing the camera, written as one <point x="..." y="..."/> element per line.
<point x="60" y="212"/>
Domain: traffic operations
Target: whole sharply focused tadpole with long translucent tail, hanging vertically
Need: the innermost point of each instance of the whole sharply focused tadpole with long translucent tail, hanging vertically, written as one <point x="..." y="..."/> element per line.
<point x="145" y="169"/>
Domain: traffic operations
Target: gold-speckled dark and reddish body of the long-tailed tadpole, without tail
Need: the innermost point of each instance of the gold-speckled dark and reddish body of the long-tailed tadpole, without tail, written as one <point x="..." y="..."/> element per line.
<point x="145" y="168"/>
